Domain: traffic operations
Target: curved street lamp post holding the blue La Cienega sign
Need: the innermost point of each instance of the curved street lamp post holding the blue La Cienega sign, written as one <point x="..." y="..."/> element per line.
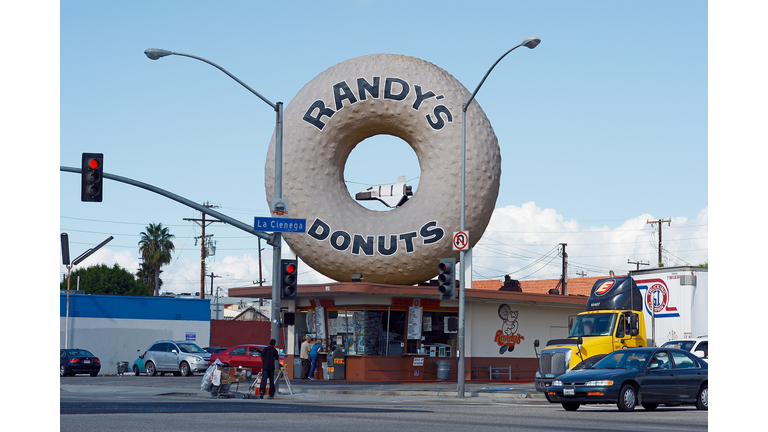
<point x="157" y="53"/>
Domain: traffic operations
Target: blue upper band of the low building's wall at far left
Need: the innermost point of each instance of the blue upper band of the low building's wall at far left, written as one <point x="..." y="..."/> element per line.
<point x="129" y="307"/>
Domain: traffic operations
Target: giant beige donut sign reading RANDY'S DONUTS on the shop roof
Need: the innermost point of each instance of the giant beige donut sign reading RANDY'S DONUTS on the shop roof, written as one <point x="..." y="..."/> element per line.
<point x="417" y="102"/>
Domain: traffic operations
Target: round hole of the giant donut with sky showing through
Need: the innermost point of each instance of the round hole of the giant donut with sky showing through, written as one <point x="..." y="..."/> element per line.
<point x="379" y="161"/>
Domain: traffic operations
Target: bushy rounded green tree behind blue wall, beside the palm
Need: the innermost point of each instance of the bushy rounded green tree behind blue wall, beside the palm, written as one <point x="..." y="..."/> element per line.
<point x="102" y="279"/>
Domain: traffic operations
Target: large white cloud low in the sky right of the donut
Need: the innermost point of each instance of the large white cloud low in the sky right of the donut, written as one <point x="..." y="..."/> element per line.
<point x="523" y="242"/>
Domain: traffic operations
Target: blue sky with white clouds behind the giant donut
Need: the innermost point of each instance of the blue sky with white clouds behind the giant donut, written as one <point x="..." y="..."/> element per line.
<point x="601" y="127"/>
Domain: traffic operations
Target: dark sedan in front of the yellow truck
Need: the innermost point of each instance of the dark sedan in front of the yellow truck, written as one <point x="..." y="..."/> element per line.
<point x="648" y="376"/>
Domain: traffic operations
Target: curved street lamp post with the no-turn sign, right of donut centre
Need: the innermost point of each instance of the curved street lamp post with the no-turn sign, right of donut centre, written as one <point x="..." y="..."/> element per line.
<point x="531" y="43"/>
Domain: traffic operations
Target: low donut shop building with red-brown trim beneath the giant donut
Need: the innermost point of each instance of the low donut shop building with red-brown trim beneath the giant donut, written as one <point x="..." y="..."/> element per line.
<point x="401" y="332"/>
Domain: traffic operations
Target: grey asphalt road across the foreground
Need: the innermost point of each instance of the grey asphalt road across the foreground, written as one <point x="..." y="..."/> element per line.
<point x="178" y="404"/>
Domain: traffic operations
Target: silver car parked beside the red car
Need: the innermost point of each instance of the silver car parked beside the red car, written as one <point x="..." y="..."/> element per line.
<point x="178" y="357"/>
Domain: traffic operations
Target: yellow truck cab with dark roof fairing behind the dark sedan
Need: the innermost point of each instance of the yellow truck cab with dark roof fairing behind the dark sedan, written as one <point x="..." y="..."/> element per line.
<point x="613" y="320"/>
